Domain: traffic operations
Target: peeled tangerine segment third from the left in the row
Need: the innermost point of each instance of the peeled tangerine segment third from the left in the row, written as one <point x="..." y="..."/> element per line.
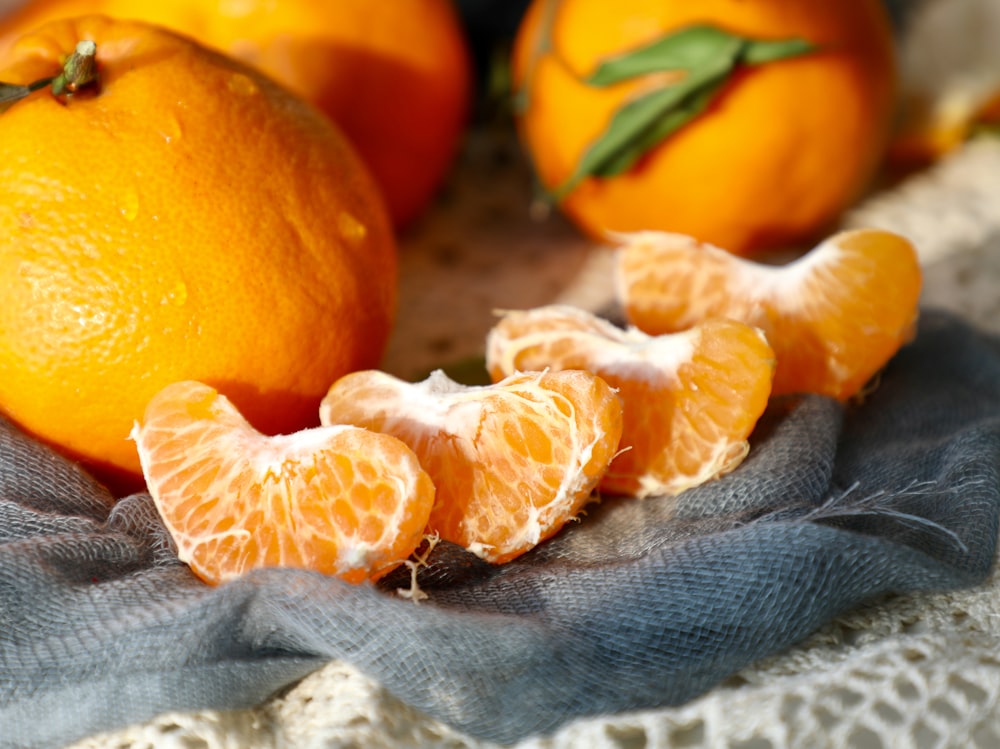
<point x="691" y="399"/>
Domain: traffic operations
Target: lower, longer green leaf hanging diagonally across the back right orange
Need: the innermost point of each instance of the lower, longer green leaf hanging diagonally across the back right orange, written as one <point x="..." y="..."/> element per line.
<point x="628" y="135"/>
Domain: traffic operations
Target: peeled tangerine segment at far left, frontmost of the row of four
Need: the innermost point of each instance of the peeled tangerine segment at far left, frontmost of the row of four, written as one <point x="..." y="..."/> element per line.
<point x="338" y="500"/>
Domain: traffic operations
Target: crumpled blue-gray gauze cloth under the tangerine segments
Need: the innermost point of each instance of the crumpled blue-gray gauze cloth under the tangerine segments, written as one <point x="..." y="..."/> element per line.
<point x="641" y="604"/>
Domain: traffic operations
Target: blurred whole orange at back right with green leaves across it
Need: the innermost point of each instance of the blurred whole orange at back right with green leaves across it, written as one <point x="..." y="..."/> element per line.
<point x="778" y="152"/>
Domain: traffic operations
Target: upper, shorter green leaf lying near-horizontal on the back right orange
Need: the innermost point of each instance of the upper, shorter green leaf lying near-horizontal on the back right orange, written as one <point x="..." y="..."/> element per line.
<point x="688" y="49"/>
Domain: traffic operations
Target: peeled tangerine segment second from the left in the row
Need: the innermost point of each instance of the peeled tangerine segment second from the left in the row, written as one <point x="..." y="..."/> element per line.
<point x="512" y="462"/>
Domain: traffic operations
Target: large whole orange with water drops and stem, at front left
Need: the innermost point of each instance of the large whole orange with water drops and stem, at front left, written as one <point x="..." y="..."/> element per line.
<point x="183" y="218"/>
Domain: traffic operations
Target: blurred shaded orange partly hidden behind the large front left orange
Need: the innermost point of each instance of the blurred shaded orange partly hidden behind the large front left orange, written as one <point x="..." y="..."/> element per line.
<point x="394" y="76"/>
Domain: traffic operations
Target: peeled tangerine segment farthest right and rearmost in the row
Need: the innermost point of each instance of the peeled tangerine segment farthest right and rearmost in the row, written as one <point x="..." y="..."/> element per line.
<point x="834" y="316"/>
